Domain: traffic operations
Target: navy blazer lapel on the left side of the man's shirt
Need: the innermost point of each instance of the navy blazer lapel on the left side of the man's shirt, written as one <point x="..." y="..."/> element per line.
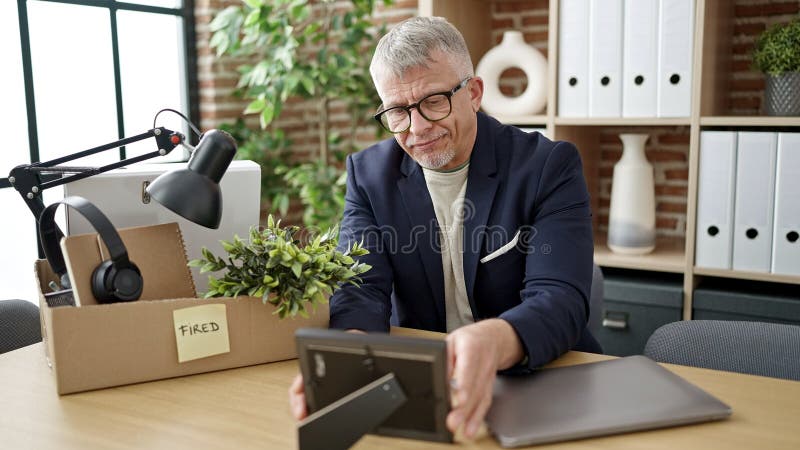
<point x="425" y="229"/>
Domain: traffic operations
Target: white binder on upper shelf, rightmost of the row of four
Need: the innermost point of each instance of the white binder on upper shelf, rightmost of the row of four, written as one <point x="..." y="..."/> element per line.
<point x="676" y="38"/>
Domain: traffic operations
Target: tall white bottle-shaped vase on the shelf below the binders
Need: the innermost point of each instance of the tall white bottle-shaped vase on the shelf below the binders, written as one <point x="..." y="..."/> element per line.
<point x="632" y="216"/>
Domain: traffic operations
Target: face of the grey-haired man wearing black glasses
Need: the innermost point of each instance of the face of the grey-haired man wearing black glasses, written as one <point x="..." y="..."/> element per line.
<point x="444" y="144"/>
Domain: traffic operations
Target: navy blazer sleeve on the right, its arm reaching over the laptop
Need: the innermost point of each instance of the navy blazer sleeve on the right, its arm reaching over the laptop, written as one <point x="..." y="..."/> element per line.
<point x="558" y="266"/>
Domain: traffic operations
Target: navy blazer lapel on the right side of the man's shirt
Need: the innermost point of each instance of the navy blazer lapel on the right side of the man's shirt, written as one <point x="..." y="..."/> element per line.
<point x="481" y="188"/>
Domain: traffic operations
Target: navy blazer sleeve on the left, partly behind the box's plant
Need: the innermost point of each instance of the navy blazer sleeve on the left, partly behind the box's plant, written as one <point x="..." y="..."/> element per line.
<point x="366" y="306"/>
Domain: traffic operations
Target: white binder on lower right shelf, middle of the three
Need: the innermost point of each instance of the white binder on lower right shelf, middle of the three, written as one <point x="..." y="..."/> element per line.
<point x="755" y="196"/>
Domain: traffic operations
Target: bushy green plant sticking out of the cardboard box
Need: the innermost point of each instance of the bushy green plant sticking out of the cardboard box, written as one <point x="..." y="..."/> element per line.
<point x="275" y="266"/>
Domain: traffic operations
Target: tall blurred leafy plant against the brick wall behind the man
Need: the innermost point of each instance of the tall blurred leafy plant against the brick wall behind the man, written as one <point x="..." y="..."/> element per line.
<point x="311" y="49"/>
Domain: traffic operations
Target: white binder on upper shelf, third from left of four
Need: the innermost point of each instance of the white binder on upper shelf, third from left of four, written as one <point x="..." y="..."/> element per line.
<point x="640" y="58"/>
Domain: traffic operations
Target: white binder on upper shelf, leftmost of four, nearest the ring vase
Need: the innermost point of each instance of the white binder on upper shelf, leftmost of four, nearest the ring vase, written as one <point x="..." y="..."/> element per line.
<point x="573" y="58"/>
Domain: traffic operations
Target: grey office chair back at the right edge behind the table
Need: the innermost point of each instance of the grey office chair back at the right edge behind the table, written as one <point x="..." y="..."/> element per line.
<point x="756" y="348"/>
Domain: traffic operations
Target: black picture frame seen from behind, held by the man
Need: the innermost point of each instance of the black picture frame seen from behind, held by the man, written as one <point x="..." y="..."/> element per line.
<point x="336" y="363"/>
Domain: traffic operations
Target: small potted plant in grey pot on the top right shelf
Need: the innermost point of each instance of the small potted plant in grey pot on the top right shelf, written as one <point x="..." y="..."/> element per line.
<point x="777" y="55"/>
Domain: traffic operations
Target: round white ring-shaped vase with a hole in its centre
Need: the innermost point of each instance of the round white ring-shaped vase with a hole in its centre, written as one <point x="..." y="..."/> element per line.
<point x="513" y="52"/>
